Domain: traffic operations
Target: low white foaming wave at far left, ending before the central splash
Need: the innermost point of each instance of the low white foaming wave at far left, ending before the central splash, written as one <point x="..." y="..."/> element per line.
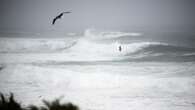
<point x="19" y="45"/>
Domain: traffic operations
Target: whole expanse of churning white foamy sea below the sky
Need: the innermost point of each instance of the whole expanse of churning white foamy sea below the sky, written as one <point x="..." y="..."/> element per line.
<point x="90" y="71"/>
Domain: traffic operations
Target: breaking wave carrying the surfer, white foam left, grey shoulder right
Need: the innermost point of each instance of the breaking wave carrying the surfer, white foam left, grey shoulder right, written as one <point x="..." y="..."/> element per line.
<point x="140" y="51"/>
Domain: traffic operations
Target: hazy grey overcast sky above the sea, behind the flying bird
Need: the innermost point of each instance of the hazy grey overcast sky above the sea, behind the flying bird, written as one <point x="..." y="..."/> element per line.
<point x="135" y="15"/>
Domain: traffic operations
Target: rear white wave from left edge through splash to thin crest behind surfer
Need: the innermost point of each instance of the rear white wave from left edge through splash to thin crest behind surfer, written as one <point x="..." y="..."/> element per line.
<point x="24" y="45"/>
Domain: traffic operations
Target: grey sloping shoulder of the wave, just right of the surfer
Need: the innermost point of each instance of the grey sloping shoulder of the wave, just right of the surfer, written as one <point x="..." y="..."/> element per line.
<point x="157" y="51"/>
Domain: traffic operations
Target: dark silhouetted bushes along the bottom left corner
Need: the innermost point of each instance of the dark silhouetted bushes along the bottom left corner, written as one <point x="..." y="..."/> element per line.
<point x="11" y="104"/>
